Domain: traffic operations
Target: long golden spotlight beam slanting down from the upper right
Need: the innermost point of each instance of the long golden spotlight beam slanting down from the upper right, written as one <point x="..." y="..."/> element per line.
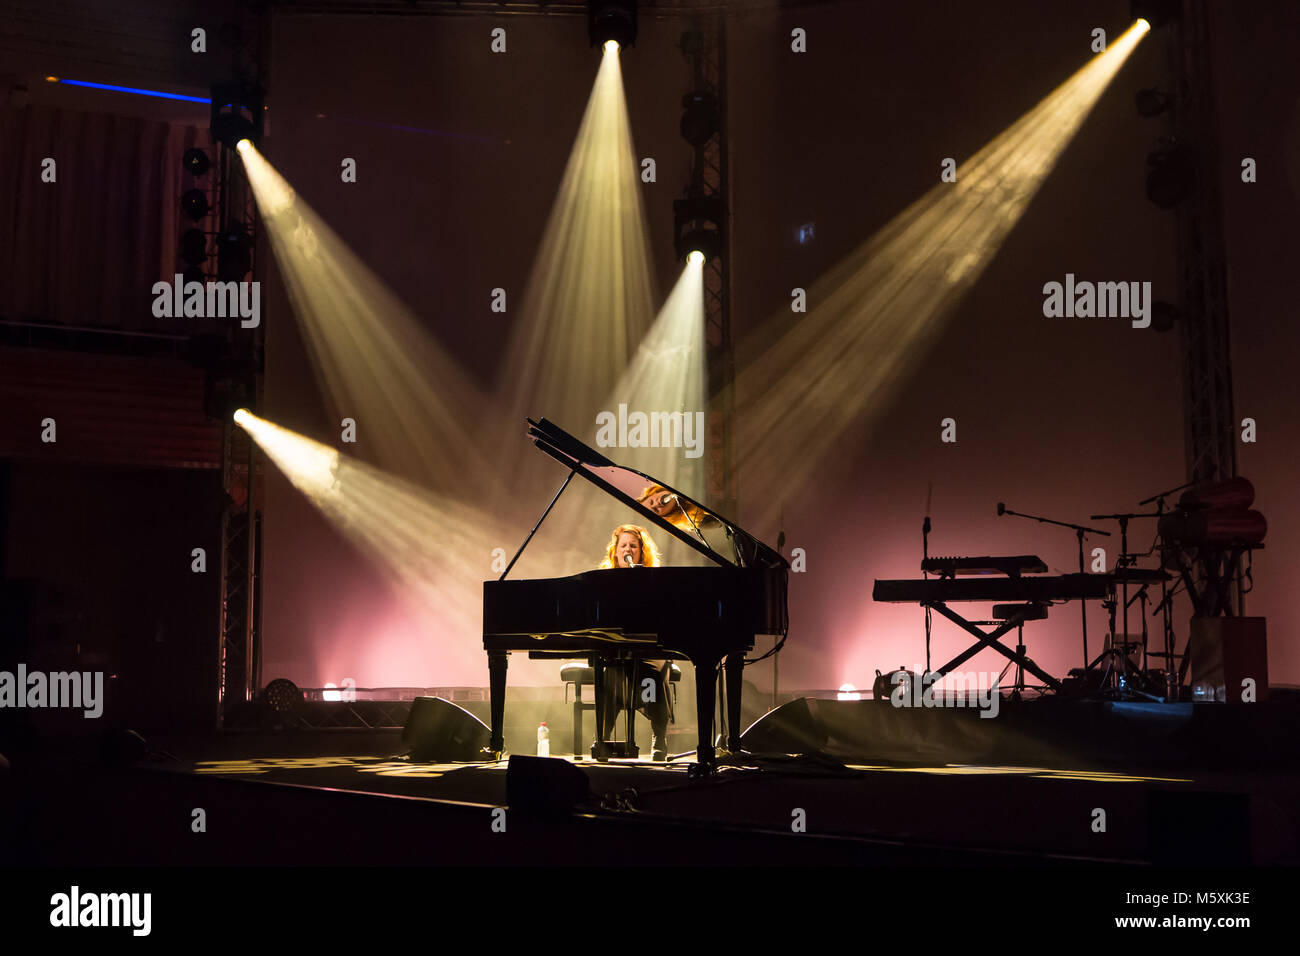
<point x="800" y="390"/>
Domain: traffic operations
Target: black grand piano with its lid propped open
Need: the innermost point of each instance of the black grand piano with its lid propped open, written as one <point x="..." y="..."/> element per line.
<point x="707" y="615"/>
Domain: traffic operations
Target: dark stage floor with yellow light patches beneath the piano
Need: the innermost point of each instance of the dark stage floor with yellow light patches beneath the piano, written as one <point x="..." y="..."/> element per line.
<point x="348" y="798"/>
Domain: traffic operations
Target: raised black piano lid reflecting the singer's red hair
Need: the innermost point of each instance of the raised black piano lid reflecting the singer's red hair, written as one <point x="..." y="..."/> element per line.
<point x="686" y="520"/>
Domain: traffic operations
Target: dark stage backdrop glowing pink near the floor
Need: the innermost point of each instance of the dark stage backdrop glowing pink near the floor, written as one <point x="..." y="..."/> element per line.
<point x="1060" y="418"/>
